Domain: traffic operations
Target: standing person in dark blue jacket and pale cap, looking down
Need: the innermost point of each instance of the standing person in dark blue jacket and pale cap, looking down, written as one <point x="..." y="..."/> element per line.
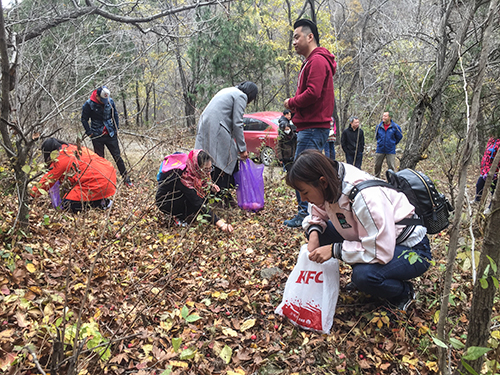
<point x="103" y="129"/>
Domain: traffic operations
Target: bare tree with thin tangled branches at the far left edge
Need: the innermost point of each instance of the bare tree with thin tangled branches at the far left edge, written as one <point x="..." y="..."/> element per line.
<point x="22" y="119"/>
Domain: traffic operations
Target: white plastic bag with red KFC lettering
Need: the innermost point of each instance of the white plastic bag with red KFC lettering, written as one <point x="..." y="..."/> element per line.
<point x="311" y="293"/>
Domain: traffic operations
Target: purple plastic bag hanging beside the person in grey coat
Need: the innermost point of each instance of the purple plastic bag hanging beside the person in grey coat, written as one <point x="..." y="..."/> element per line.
<point x="250" y="186"/>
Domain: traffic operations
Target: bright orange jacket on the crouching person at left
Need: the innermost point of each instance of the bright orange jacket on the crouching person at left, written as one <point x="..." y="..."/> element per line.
<point x="91" y="177"/>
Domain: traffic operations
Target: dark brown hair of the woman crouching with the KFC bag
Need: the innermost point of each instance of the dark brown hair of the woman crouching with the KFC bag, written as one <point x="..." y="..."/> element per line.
<point x="309" y="167"/>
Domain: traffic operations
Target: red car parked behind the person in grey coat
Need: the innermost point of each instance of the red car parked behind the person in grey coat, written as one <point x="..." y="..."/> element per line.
<point x="261" y="135"/>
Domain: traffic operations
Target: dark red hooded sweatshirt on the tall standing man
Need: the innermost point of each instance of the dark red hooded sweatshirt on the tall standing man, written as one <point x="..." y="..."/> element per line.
<point x="313" y="102"/>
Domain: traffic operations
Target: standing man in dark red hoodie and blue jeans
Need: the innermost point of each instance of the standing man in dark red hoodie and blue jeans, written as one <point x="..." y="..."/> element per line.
<point x="314" y="99"/>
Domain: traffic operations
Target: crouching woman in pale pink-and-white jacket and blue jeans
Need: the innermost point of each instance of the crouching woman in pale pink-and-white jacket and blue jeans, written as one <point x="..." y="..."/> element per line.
<point x="363" y="233"/>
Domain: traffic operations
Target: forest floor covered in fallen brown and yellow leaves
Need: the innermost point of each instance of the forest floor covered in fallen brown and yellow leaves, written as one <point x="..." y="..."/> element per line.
<point x="152" y="299"/>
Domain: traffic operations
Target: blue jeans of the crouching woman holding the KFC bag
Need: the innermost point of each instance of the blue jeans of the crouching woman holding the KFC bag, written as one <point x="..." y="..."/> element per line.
<point x="385" y="280"/>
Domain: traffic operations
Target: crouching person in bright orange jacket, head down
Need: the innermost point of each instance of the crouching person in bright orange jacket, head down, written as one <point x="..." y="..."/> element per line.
<point x="92" y="178"/>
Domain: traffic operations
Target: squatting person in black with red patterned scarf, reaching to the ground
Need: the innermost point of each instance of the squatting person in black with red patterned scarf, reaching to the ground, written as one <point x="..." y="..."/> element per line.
<point x="181" y="191"/>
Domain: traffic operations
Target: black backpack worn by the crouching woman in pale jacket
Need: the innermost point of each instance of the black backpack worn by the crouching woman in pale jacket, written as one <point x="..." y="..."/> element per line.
<point x="431" y="206"/>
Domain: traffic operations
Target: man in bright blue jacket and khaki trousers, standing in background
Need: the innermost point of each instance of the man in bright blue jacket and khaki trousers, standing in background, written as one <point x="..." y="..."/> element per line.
<point x="388" y="135"/>
